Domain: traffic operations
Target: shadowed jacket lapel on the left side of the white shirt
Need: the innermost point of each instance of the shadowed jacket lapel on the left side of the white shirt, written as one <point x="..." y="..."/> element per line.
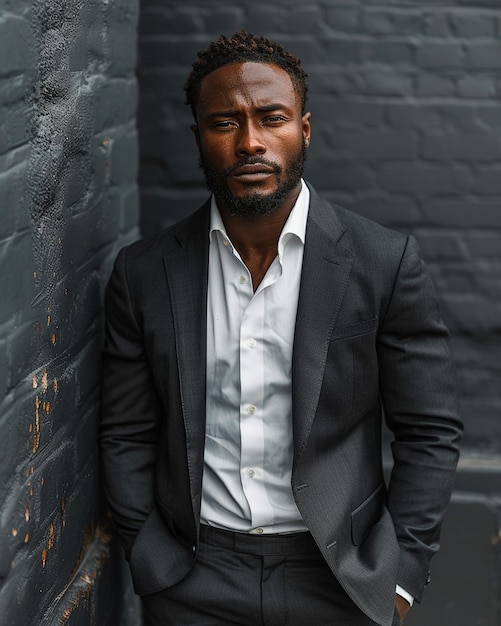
<point x="186" y="266"/>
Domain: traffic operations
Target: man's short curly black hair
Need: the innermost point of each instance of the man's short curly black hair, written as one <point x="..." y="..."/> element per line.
<point x="243" y="47"/>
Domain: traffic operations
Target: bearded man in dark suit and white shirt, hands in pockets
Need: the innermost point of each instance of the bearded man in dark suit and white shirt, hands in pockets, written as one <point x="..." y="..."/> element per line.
<point x="250" y="352"/>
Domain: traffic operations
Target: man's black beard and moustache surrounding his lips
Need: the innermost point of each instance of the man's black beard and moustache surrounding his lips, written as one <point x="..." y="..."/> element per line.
<point x="255" y="203"/>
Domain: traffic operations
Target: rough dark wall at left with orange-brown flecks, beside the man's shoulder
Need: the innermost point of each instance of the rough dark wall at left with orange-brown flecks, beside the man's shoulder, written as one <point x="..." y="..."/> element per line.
<point x="68" y="200"/>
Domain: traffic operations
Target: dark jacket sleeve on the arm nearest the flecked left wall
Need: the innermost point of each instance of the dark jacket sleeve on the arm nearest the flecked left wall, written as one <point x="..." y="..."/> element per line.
<point x="130" y="411"/>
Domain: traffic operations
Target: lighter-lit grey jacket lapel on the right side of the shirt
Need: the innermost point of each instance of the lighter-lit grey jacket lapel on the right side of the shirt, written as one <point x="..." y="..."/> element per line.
<point x="326" y="269"/>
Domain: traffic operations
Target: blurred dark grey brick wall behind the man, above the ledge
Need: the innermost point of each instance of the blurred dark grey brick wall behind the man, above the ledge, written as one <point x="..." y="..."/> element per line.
<point x="406" y="122"/>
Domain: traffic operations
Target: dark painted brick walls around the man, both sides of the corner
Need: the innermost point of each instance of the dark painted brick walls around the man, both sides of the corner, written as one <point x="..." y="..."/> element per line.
<point x="406" y="121"/>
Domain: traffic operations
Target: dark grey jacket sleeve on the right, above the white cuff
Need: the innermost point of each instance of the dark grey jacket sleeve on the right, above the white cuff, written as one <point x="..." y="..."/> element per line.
<point x="420" y="402"/>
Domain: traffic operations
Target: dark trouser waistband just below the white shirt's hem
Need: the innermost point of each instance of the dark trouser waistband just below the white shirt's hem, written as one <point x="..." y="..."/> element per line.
<point x="263" y="545"/>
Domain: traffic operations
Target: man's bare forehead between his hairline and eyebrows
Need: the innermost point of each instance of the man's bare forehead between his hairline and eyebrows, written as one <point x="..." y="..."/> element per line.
<point x="253" y="83"/>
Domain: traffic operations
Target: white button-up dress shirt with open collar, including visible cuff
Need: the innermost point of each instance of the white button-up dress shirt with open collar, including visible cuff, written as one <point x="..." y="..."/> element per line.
<point x="248" y="441"/>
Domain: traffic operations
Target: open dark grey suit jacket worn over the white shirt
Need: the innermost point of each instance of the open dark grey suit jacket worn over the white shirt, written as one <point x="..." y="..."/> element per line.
<point x="368" y="341"/>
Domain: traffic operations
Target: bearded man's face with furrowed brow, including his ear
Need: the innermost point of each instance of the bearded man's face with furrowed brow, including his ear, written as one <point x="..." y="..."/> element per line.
<point x="252" y="137"/>
